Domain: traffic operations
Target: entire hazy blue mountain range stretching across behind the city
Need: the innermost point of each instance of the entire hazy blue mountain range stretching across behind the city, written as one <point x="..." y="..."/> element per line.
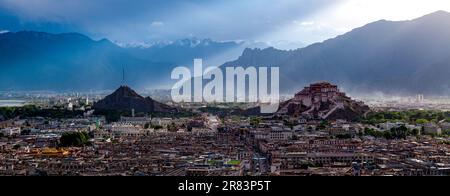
<point x="397" y="57"/>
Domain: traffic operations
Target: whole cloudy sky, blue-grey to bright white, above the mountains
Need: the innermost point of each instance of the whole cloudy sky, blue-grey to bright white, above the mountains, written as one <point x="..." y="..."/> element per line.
<point x="269" y="21"/>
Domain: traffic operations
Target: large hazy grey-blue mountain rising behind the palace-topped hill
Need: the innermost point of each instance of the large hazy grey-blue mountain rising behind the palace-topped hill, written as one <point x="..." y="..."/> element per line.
<point x="404" y="57"/>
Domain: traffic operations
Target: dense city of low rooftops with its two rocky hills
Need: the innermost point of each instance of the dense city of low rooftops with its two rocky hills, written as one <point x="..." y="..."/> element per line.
<point x="321" y="131"/>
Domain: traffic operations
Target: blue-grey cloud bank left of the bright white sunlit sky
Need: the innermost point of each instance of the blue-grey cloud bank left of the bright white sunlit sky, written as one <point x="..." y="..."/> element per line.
<point x="144" y="20"/>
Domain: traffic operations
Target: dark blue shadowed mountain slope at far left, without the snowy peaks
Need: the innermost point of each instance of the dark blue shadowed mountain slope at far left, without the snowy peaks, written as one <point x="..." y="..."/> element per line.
<point x="35" y="60"/>
